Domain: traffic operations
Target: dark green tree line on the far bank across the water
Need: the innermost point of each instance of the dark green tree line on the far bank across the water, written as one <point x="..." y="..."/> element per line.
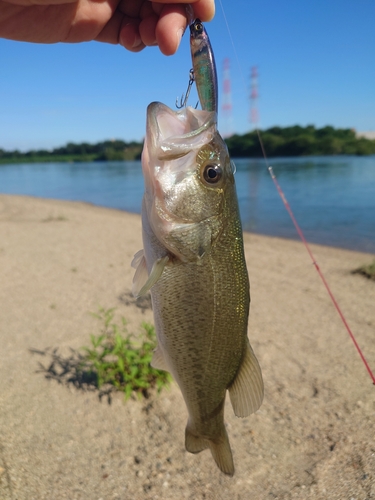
<point x="277" y="141"/>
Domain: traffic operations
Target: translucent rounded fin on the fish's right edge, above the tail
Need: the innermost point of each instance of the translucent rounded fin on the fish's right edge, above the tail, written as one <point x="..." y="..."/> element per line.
<point x="246" y="391"/>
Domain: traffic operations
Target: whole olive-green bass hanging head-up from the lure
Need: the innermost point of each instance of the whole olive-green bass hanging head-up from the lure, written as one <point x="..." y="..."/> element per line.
<point x="194" y="265"/>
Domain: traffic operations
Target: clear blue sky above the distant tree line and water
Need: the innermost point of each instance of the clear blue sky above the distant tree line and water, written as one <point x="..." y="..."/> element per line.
<point x="316" y="61"/>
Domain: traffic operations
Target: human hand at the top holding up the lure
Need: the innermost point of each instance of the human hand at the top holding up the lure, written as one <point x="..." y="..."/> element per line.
<point x="134" y="24"/>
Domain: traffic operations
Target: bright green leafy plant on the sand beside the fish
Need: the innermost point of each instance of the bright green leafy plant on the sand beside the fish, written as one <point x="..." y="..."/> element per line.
<point x="116" y="359"/>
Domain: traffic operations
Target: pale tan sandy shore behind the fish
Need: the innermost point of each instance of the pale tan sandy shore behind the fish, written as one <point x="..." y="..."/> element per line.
<point x="313" y="437"/>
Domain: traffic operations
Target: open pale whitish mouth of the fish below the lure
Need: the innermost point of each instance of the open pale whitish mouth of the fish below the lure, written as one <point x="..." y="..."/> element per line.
<point x="173" y="134"/>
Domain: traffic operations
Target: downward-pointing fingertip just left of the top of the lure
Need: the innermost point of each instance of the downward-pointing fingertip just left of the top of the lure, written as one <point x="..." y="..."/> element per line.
<point x="170" y="28"/>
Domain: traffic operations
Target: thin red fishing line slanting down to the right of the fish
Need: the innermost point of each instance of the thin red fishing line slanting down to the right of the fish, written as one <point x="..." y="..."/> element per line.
<point x="295" y="223"/>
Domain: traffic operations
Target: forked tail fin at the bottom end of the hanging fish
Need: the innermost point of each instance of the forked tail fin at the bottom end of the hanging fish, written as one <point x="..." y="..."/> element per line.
<point x="220" y="449"/>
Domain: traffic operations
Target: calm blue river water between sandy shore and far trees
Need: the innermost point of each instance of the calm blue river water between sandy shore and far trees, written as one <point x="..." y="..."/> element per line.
<point x="333" y="198"/>
